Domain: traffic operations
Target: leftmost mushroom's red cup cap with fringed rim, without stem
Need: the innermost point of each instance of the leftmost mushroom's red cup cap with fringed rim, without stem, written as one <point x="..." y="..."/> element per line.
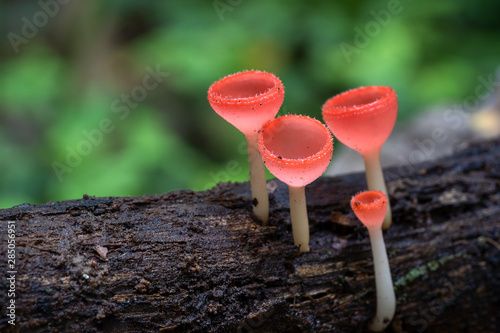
<point x="247" y="99"/>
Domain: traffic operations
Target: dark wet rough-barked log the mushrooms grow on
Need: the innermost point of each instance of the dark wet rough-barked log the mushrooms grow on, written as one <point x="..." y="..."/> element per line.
<point x="198" y="262"/>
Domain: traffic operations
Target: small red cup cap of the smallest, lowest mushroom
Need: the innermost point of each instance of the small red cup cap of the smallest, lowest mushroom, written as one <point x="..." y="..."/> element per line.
<point x="370" y="207"/>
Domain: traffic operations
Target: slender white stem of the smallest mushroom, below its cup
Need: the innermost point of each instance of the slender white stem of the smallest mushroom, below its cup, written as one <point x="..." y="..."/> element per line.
<point x="386" y="299"/>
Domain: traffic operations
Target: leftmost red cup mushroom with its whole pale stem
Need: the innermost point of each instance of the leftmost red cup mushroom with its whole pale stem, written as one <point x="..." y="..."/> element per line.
<point x="248" y="100"/>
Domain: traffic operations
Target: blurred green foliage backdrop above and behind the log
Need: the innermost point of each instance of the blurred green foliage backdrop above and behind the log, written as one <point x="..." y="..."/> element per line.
<point x="67" y="126"/>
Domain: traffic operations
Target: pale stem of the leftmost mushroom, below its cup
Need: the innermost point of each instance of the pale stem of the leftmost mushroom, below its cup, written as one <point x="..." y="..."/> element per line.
<point x="258" y="184"/>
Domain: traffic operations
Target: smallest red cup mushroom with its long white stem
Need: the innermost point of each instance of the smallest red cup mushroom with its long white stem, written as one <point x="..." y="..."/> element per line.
<point x="370" y="207"/>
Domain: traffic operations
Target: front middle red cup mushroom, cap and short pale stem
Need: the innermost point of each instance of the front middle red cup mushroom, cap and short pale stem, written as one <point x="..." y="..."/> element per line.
<point x="297" y="150"/>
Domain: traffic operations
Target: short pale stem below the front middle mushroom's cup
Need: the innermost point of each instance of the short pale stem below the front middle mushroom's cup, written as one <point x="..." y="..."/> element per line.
<point x="298" y="215"/>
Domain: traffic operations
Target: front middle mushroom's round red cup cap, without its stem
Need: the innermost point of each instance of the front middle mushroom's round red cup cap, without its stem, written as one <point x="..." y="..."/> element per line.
<point x="296" y="149"/>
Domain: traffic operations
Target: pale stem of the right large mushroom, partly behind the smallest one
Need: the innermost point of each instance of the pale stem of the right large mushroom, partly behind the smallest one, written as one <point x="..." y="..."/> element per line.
<point x="376" y="182"/>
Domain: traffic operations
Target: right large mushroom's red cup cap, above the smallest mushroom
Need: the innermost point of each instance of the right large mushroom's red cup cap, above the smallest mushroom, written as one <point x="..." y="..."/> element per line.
<point x="362" y="118"/>
